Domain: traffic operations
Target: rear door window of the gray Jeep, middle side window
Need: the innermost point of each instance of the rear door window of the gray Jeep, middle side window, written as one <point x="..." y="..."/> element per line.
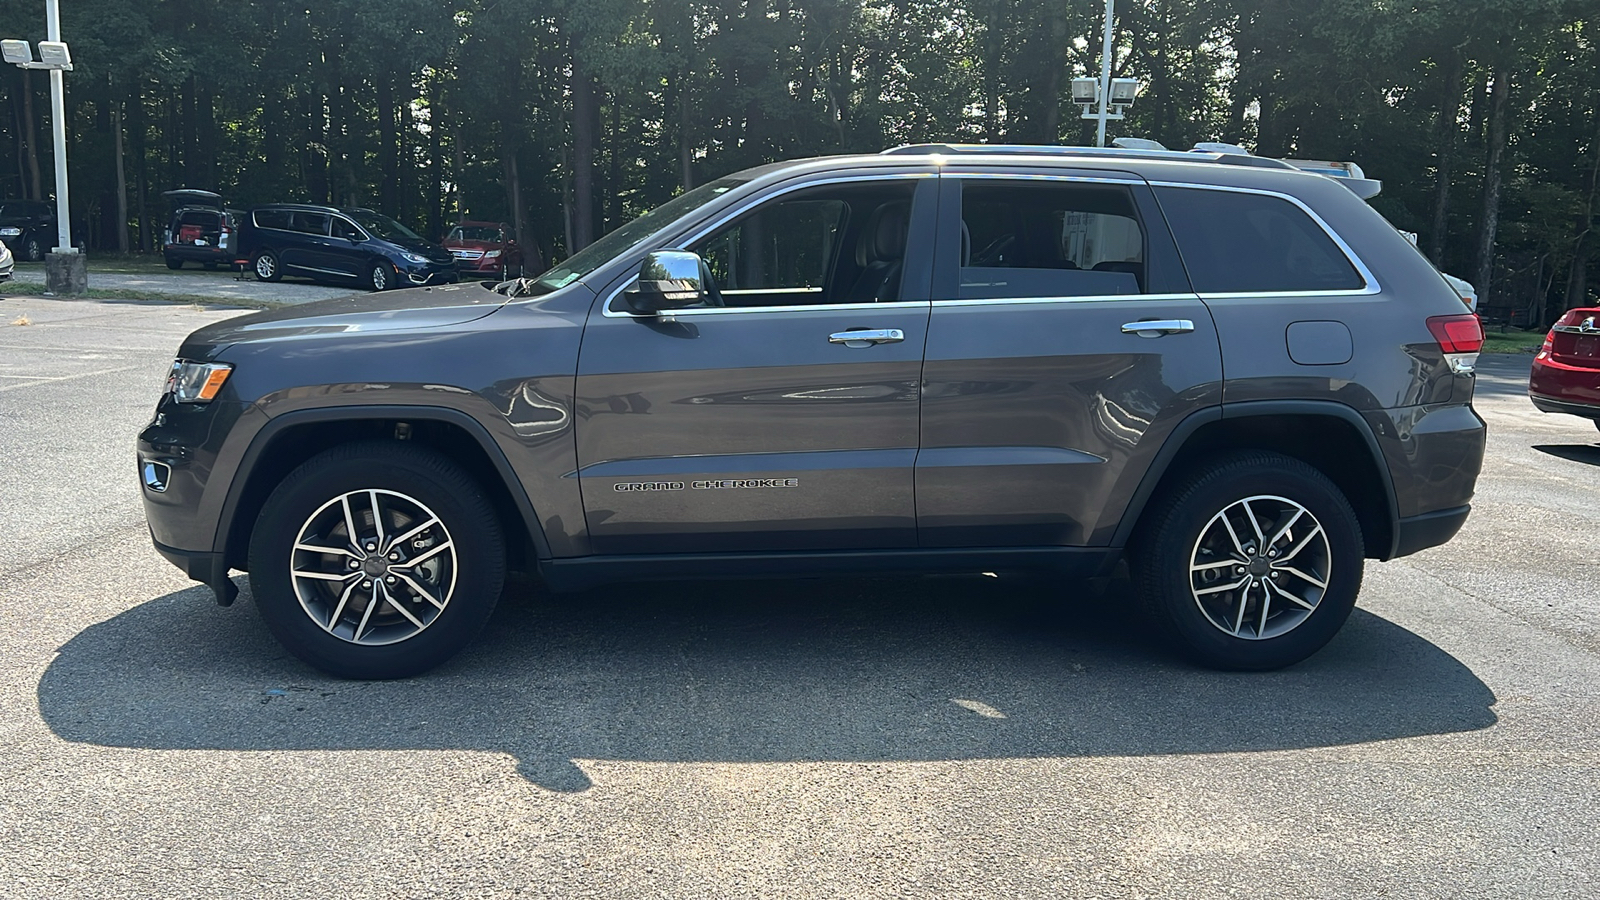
<point x="1049" y="239"/>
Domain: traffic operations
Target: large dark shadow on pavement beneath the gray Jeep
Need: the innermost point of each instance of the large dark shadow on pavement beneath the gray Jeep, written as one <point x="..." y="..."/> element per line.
<point x="881" y="670"/>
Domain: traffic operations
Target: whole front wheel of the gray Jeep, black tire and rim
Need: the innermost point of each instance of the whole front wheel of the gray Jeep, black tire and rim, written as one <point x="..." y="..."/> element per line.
<point x="377" y="561"/>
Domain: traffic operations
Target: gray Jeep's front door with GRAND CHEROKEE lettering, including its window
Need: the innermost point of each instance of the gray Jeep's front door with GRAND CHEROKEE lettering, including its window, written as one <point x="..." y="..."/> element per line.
<point x="759" y="425"/>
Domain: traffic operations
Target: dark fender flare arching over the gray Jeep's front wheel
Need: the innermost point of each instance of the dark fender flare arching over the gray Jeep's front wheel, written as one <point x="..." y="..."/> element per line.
<point x="473" y="427"/>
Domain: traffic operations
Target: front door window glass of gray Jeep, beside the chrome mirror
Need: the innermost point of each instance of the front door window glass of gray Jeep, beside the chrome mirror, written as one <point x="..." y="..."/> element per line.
<point x="825" y="246"/>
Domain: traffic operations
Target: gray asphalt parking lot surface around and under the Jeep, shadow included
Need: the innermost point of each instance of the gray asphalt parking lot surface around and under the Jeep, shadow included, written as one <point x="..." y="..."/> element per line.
<point x="945" y="737"/>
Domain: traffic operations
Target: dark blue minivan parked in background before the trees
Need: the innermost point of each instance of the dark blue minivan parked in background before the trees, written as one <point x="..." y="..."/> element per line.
<point x="338" y="246"/>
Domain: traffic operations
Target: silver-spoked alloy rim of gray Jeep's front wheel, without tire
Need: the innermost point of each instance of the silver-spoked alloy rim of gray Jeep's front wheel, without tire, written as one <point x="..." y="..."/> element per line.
<point x="374" y="568"/>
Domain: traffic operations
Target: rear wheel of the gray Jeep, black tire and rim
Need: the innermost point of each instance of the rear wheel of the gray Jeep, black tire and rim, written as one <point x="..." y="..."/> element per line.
<point x="1183" y="529"/>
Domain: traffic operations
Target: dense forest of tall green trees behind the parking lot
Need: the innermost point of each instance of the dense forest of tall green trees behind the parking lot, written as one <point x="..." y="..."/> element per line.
<point x="567" y="118"/>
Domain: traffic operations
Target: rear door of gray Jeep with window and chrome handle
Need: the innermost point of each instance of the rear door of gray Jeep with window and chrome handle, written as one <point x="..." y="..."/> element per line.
<point x="1063" y="348"/>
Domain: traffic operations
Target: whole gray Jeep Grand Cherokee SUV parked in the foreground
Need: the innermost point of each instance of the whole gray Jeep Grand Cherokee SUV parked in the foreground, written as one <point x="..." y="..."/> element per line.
<point x="1231" y="374"/>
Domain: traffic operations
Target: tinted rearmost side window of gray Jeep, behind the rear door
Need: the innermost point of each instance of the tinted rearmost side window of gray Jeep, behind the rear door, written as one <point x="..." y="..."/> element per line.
<point x="1236" y="243"/>
